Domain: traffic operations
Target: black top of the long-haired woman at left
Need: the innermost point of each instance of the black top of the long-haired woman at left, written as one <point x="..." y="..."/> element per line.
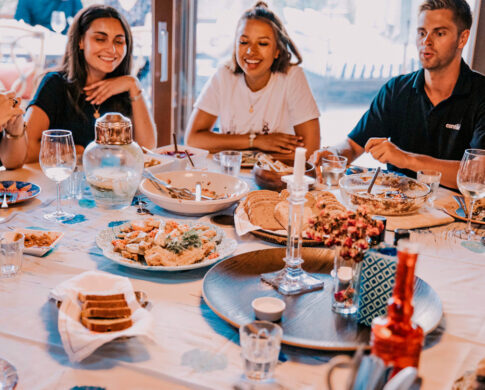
<point x="52" y="98"/>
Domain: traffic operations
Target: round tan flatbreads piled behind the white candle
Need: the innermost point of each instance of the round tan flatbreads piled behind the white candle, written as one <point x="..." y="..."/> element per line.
<point x="270" y="209"/>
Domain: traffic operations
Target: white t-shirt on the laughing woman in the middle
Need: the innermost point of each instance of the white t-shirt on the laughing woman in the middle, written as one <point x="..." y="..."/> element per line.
<point x="284" y="102"/>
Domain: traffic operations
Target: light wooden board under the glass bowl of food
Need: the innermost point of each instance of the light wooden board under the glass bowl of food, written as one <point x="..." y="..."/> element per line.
<point x="425" y="217"/>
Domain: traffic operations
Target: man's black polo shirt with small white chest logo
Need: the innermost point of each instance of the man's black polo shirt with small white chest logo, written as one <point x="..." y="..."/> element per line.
<point x="402" y="111"/>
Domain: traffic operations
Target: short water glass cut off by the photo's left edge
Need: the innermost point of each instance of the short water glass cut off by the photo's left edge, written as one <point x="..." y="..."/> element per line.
<point x="11" y="254"/>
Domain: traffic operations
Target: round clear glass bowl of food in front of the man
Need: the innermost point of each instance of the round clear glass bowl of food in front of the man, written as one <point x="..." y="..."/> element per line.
<point x="391" y="195"/>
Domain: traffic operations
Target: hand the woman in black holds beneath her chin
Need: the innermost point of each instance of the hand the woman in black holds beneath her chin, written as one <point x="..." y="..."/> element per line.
<point x="100" y="91"/>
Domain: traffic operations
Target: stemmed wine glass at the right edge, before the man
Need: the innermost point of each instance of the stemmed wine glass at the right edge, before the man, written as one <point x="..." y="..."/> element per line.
<point x="471" y="182"/>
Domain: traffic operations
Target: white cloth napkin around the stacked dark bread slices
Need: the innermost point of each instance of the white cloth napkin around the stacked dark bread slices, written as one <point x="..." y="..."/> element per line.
<point x="78" y="341"/>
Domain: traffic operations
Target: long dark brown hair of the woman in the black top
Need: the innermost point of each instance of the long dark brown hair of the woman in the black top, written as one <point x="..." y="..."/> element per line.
<point x="74" y="66"/>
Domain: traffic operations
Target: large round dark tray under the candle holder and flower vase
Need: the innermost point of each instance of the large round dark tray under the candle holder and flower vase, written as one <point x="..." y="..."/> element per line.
<point x="308" y="321"/>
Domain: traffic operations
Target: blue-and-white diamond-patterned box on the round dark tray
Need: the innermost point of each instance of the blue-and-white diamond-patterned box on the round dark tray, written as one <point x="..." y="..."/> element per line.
<point x="376" y="285"/>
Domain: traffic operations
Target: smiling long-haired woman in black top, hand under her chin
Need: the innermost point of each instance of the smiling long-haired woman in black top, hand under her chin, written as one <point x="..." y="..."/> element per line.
<point x="94" y="79"/>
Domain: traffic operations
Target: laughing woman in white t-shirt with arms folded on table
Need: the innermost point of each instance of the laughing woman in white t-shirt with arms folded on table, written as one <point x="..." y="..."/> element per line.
<point x="261" y="96"/>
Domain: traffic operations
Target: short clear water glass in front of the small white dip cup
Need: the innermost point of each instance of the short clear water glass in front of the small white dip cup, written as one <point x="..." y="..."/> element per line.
<point x="260" y="343"/>
